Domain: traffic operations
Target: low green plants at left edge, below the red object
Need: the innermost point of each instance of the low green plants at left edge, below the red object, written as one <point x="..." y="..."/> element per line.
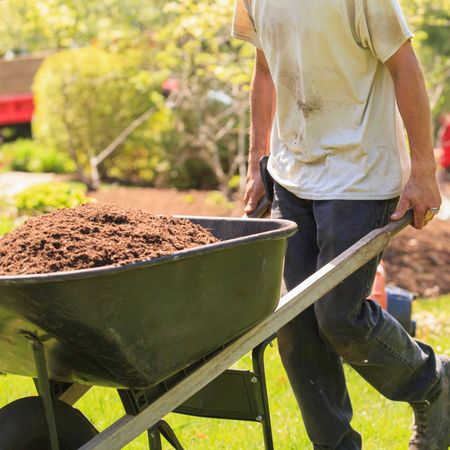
<point x="28" y="156"/>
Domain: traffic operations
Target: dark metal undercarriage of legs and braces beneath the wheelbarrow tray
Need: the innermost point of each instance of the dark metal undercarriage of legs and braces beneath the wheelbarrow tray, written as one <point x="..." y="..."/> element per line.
<point x="246" y="390"/>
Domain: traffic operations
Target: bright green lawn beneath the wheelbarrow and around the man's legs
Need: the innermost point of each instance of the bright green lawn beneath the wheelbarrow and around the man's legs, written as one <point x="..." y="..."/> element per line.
<point x="383" y="424"/>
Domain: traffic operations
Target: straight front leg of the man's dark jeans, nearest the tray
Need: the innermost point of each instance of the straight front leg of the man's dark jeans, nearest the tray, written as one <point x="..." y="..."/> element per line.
<point x="314" y="368"/>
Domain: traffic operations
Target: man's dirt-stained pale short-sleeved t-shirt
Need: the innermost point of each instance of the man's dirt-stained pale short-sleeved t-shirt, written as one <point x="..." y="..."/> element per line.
<point x="337" y="133"/>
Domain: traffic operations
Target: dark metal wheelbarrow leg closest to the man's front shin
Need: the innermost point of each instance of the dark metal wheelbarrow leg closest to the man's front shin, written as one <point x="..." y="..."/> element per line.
<point x="258" y="368"/>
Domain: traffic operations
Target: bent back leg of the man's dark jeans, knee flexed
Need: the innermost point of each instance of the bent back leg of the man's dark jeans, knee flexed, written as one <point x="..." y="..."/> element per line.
<point x="366" y="336"/>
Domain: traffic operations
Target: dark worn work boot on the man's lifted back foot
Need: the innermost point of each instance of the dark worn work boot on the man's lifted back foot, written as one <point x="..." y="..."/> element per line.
<point x="431" y="430"/>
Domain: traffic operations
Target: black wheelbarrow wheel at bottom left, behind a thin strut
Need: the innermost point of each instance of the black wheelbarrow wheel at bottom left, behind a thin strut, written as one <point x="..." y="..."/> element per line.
<point x="23" y="426"/>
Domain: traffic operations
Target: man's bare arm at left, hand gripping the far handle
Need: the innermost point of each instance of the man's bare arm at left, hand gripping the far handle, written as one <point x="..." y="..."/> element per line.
<point x="262" y="103"/>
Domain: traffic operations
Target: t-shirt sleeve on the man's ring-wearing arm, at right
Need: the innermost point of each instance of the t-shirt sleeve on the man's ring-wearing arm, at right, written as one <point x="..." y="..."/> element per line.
<point x="382" y="27"/>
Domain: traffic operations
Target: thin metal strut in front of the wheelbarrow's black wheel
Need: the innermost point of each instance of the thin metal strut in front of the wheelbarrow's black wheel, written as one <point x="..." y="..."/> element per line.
<point x="44" y="388"/>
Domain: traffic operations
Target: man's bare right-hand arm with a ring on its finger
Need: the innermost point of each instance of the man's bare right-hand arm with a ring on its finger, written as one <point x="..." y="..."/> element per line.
<point x="421" y="192"/>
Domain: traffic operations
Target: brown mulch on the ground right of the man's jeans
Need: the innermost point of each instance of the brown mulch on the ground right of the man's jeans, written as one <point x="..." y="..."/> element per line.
<point x="419" y="261"/>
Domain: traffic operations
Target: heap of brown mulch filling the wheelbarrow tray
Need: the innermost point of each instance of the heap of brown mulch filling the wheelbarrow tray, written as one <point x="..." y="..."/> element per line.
<point x="95" y="235"/>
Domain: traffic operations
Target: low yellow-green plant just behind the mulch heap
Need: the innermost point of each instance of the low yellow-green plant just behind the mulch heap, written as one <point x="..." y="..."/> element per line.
<point x="46" y="197"/>
